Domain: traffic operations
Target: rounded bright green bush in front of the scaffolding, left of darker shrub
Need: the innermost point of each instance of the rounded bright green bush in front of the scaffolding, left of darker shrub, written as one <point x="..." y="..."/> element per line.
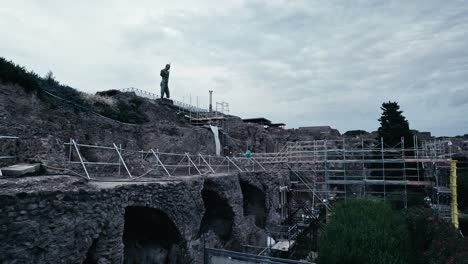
<point x="364" y="231"/>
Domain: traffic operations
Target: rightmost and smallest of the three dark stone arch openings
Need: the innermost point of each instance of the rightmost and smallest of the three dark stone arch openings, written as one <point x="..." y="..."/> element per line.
<point x="254" y="203"/>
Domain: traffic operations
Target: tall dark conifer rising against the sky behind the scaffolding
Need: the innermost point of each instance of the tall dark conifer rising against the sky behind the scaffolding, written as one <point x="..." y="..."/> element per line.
<point x="394" y="126"/>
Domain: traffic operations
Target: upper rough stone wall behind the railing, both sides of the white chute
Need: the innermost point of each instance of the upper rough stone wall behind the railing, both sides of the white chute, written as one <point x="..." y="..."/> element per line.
<point x="43" y="127"/>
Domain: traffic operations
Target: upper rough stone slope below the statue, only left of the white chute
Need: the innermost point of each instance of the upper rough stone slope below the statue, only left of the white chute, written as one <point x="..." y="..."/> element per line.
<point x="43" y="128"/>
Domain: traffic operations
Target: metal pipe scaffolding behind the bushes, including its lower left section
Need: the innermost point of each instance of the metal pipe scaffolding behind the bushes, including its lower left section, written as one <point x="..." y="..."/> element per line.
<point x="324" y="171"/>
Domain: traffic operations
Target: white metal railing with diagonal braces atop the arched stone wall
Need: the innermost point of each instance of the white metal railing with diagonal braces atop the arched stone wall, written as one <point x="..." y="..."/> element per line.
<point x="116" y="162"/>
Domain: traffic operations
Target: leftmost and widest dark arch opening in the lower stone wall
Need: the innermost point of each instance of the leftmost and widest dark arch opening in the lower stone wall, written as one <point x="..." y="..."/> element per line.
<point x="150" y="236"/>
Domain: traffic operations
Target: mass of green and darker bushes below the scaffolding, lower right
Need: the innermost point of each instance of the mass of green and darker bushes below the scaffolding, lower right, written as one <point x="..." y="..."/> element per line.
<point x="370" y="231"/>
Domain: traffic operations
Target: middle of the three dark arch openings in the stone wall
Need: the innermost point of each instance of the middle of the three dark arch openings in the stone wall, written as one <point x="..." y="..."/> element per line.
<point x="218" y="216"/>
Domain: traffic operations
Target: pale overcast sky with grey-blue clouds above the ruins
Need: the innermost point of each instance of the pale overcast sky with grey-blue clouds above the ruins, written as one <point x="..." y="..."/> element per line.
<point x="298" y="62"/>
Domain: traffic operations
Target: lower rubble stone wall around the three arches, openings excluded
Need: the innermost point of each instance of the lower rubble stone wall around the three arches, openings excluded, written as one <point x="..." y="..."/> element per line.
<point x="55" y="219"/>
